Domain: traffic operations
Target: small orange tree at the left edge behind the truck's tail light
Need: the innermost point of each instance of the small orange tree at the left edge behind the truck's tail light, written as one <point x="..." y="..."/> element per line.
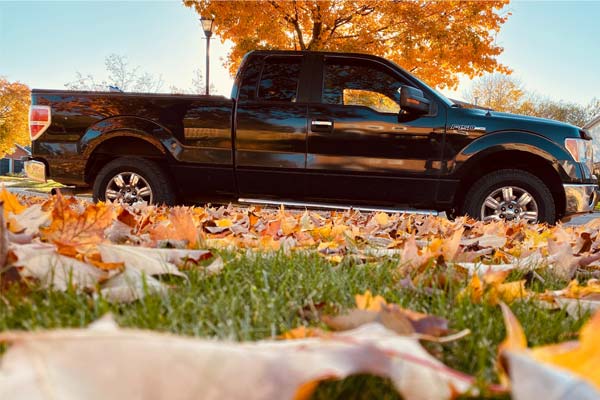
<point x="14" y="111"/>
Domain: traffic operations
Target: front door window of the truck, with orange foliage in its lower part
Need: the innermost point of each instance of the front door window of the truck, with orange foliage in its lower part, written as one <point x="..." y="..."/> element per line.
<point x="361" y="83"/>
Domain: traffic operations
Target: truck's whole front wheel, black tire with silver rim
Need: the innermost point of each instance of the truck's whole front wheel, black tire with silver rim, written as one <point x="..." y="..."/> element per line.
<point x="510" y="195"/>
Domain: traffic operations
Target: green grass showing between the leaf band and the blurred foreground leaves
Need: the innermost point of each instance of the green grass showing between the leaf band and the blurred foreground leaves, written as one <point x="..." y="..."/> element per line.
<point x="261" y="297"/>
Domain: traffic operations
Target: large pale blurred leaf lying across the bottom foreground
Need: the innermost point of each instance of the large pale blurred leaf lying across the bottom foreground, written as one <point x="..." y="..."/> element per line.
<point x="203" y="369"/>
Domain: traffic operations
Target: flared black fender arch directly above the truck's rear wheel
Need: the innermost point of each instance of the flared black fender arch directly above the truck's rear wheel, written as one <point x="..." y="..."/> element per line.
<point x="137" y="127"/>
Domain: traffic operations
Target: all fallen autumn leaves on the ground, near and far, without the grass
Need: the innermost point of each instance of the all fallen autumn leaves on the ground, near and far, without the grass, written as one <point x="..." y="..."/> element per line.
<point x="120" y="252"/>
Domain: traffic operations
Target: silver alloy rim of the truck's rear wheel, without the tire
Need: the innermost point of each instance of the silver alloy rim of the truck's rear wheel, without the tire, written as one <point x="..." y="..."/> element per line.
<point x="128" y="187"/>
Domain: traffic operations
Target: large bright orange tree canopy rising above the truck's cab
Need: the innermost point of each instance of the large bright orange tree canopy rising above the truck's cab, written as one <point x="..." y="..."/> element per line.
<point x="436" y="40"/>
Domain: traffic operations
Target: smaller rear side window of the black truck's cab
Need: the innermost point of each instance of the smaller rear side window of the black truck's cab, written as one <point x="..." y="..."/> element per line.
<point x="279" y="79"/>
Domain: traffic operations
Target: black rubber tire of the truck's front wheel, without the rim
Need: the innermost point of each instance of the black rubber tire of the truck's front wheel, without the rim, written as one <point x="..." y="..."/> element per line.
<point x="486" y="185"/>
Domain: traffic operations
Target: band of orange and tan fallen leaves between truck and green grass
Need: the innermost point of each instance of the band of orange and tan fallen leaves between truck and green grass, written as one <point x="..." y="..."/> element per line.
<point x="89" y="244"/>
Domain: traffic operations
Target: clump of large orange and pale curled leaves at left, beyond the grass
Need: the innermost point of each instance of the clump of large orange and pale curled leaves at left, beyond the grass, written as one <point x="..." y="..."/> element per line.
<point x="64" y="243"/>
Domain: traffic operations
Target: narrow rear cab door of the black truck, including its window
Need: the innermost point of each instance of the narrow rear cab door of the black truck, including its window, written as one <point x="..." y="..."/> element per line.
<point x="270" y="135"/>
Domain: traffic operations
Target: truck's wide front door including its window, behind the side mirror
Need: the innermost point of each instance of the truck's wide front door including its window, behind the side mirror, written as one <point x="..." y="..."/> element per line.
<point x="361" y="149"/>
